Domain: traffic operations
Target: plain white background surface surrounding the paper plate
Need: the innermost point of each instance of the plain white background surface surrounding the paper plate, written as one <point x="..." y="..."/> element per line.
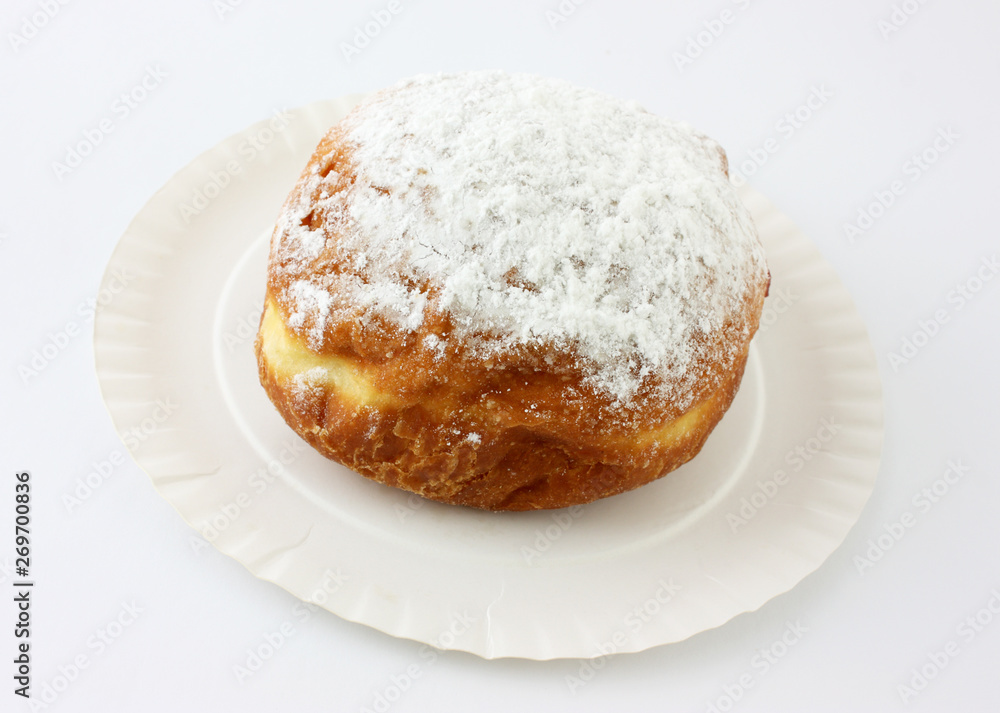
<point x="890" y="94"/>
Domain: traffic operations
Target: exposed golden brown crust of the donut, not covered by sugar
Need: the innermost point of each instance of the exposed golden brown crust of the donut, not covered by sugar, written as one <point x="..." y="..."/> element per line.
<point x="521" y="430"/>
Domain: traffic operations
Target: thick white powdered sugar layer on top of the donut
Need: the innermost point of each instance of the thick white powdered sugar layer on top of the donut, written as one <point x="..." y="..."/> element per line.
<point x="541" y="213"/>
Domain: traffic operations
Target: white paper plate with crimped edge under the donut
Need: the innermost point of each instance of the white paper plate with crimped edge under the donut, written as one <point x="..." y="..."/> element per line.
<point x="774" y="491"/>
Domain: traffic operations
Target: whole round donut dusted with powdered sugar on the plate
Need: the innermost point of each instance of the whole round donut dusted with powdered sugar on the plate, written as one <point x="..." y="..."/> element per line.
<point x="508" y="292"/>
